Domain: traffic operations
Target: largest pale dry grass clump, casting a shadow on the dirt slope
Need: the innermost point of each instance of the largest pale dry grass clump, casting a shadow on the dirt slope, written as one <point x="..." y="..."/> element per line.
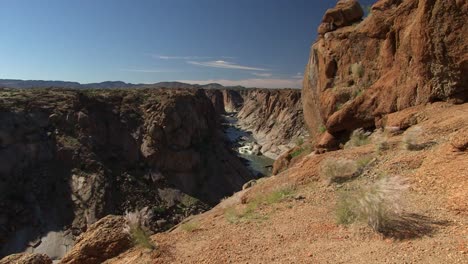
<point x="377" y="204"/>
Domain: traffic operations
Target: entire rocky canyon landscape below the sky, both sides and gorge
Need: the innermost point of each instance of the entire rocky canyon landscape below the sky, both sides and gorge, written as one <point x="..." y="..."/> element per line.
<point x="386" y="90"/>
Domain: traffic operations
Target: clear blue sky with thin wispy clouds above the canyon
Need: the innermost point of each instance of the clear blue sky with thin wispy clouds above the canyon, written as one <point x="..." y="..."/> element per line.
<point x="263" y="43"/>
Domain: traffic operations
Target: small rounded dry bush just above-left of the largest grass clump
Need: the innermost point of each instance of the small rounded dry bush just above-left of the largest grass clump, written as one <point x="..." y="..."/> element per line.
<point x="338" y="169"/>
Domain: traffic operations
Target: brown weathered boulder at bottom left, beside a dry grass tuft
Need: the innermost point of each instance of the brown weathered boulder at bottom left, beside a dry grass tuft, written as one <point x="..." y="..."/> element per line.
<point x="103" y="240"/>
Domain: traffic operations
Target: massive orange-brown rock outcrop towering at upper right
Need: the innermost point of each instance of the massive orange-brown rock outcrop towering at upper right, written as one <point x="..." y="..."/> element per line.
<point x="405" y="53"/>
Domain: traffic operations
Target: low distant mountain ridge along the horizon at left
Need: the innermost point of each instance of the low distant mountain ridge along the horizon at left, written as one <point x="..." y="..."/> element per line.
<point x="25" y="84"/>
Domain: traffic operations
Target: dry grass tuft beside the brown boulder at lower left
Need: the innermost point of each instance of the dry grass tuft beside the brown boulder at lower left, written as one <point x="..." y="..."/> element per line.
<point x="136" y="227"/>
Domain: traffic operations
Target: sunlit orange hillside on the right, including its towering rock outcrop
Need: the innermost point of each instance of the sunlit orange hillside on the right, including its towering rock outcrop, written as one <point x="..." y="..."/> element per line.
<point x="388" y="71"/>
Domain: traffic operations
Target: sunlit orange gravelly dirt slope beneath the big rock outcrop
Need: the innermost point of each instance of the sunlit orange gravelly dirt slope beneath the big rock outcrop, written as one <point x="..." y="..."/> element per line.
<point x="301" y="228"/>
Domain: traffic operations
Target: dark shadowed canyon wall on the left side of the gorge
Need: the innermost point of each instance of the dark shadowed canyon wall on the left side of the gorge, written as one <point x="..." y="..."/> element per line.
<point x="68" y="158"/>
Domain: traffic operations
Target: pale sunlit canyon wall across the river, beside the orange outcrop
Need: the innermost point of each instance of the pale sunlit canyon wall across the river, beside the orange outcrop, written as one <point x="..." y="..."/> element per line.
<point x="274" y="117"/>
